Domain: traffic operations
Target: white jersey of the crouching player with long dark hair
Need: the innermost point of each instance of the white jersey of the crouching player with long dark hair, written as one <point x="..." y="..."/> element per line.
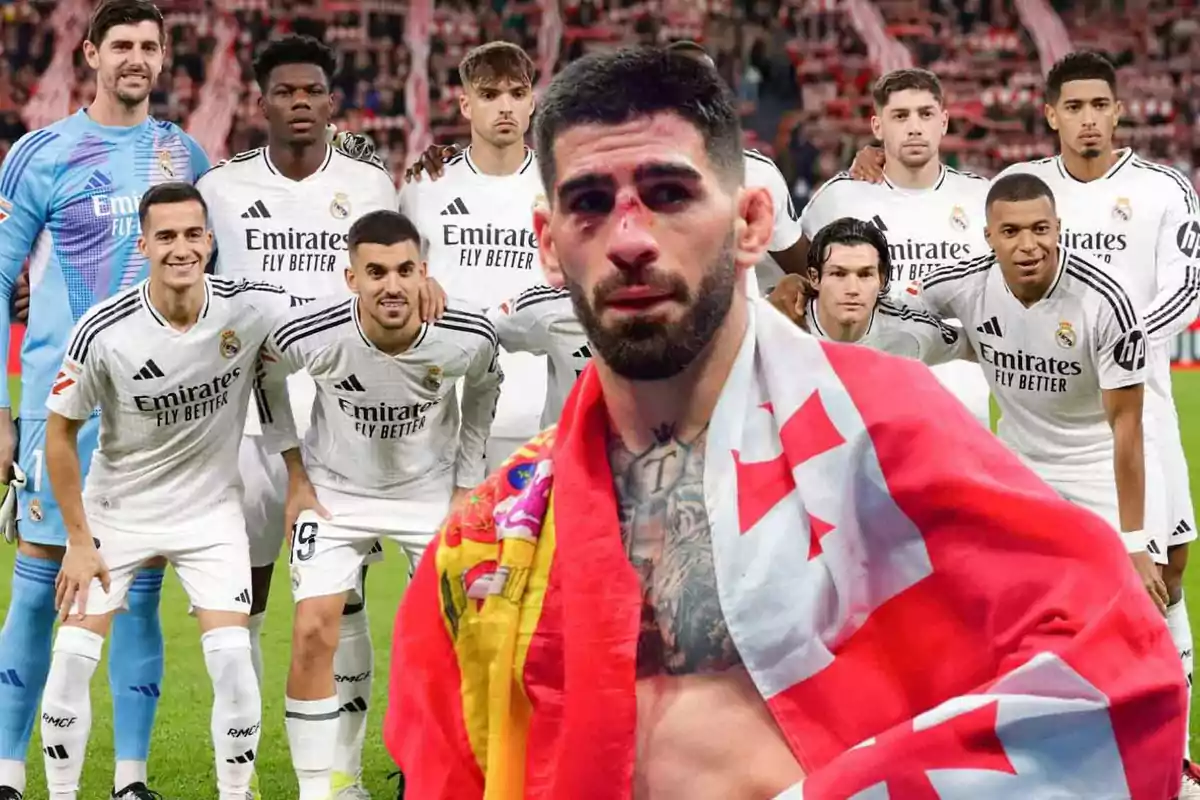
<point x="907" y="332"/>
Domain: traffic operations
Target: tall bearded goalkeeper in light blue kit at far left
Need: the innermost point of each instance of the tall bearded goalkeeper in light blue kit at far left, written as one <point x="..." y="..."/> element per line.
<point x="69" y="201"/>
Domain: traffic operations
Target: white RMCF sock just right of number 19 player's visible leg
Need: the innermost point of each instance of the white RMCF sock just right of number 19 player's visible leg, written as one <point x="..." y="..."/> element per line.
<point x="353" y="670"/>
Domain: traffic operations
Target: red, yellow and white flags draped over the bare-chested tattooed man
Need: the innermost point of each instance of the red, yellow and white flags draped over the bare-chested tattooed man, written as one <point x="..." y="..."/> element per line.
<point x="923" y="617"/>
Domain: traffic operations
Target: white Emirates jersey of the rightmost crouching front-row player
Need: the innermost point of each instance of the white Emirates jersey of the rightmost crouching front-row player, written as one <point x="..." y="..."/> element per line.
<point x="1048" y="363"/>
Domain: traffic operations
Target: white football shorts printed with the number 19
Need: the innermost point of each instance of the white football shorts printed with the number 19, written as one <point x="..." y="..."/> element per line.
<point x="328" y="555"/>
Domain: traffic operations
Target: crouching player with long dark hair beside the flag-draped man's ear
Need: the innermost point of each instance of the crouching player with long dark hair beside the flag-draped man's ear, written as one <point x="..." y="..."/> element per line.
<point x="849" y="302"/>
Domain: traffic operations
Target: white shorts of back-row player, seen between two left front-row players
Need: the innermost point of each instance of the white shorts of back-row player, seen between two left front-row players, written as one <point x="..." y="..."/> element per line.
<point x="266" y="486"/>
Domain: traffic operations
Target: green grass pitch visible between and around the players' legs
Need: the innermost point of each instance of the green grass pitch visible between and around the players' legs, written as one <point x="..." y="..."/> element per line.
<point x="181" y="763"/>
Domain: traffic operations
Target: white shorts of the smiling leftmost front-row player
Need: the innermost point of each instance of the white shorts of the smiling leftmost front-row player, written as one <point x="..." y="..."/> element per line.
<point x="209" y="552"/>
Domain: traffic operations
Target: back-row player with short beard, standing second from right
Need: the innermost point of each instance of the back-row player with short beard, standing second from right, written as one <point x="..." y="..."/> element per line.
<point x="932" y="214"/>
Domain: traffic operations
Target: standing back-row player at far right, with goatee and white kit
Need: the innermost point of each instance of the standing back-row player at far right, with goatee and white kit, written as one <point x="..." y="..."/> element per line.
<point x="1138" y="221"/>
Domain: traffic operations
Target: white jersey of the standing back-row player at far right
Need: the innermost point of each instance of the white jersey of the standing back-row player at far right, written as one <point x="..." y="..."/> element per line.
<point x="1141" y="224"/>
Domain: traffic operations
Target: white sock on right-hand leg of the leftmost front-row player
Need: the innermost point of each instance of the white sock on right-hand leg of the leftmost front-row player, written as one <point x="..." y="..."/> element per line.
<point x="237" y="708"/>
